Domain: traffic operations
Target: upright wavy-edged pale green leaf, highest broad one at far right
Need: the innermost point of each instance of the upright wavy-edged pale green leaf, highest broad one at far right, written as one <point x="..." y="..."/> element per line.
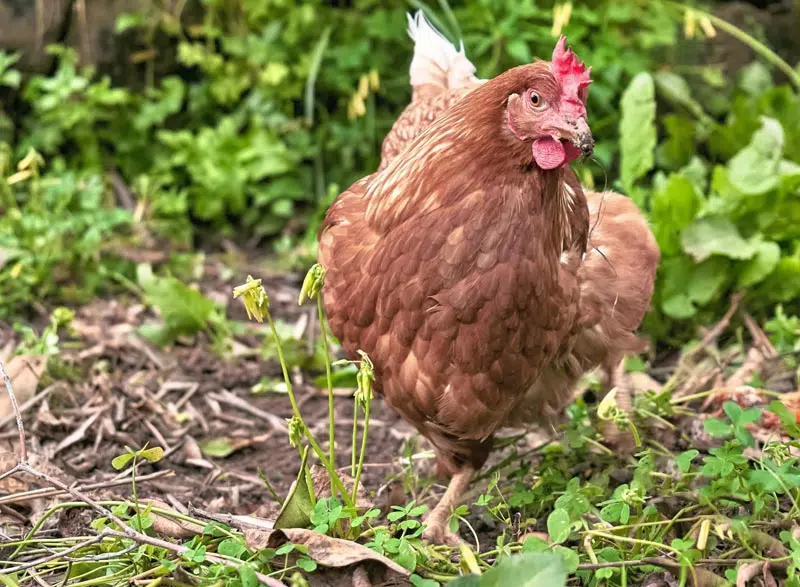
<point x="754" y="169"/>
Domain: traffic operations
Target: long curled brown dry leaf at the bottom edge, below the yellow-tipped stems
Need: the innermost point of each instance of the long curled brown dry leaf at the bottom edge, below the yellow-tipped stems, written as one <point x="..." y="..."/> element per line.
<point x="326" y="551"/>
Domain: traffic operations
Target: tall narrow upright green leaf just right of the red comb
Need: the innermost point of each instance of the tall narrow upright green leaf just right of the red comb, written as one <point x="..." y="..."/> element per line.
<point x="637" y="129"/>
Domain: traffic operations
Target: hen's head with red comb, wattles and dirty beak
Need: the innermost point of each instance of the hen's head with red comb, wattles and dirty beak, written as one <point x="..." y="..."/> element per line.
<point x="546" y="104"/>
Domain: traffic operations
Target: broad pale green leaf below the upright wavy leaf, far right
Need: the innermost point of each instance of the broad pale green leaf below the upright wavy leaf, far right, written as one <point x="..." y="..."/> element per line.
<point x="715" y="235"/>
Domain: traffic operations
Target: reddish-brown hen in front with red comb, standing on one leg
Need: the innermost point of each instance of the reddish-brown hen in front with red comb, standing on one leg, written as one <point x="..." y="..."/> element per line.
<point x="455" y="267"/>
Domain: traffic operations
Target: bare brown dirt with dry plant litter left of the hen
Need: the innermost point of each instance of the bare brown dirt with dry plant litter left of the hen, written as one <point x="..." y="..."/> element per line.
<point x="112" y="389"/>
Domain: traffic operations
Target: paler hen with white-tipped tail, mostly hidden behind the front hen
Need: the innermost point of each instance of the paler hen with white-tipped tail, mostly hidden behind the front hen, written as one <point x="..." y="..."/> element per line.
<point x="617" y="275"/>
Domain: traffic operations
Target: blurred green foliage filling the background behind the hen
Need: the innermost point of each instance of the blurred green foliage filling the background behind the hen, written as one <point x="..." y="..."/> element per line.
<point x="255" y="128"/>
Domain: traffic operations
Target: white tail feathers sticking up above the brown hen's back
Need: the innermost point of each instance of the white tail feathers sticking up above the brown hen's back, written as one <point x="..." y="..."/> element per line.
<point x="436" y="61"/>
